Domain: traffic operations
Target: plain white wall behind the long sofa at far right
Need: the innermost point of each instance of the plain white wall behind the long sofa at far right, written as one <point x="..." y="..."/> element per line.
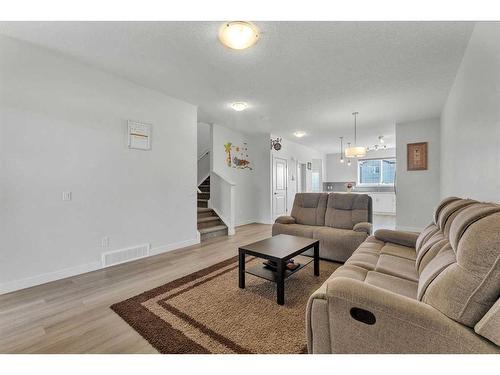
<point x="470" y="121"/>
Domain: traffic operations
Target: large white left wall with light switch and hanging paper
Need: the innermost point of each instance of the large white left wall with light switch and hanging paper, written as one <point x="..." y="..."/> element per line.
<point x="62" y="128"/>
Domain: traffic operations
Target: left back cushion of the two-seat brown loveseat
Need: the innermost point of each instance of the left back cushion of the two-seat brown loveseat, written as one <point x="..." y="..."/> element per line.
<point x="309" y="208"/>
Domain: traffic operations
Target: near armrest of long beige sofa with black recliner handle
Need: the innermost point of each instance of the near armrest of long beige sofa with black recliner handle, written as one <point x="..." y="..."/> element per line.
<point x="384" y="322"/>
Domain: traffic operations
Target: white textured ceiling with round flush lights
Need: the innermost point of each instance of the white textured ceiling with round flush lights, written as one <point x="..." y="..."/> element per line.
<point x="299" y="76"/>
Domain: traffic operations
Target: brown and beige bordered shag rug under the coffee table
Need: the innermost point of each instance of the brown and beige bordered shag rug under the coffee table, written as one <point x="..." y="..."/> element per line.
<point x="206" y="312"/>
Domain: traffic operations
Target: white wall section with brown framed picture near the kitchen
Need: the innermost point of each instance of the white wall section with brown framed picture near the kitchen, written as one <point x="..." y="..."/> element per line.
<point x="417" y="192"/>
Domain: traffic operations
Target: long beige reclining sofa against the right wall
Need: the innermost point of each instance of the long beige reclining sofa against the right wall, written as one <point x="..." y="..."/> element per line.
<point x="401" y="292"/>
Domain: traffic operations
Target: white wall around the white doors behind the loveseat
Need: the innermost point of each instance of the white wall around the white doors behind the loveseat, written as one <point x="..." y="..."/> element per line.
<point x="296" y="153"/>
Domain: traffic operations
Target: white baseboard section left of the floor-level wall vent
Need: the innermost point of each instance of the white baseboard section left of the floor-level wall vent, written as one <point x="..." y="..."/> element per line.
<point x="28" y="282"/>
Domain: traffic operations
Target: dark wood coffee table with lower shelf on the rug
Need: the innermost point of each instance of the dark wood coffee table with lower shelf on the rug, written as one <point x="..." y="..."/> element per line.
<point x="278" y="249"/>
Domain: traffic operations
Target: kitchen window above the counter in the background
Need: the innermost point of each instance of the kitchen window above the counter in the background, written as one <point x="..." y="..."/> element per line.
<point x="376" y="171"/>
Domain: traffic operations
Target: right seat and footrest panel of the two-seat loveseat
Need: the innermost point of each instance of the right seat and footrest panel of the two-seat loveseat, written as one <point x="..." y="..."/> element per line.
<point x="338" y="244"/>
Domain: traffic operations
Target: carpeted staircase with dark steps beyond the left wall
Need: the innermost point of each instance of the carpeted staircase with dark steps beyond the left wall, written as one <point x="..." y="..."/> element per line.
<point x="209" y="224"/>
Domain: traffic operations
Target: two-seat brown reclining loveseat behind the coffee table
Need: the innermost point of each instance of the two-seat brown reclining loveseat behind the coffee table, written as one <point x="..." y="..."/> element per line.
<point x="340" y="221"/>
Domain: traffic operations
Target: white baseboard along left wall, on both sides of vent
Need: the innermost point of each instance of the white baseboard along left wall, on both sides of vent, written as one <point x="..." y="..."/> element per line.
<point x="28" y="282"/>
